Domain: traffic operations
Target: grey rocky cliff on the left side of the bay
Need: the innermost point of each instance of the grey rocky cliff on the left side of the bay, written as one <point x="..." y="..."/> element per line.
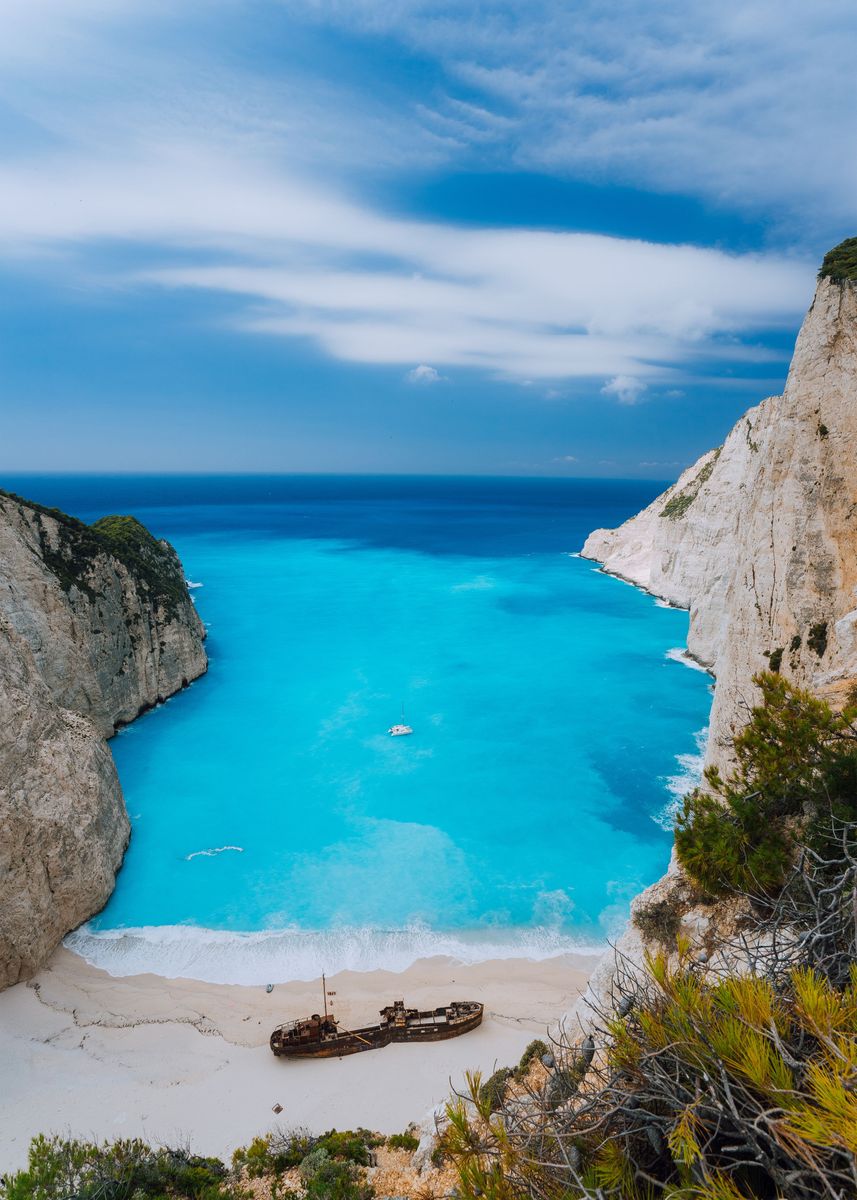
<point x="97" y="626"/>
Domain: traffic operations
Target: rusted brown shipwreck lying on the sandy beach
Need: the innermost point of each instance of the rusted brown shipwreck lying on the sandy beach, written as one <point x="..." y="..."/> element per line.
<point x="321" y="1037"/>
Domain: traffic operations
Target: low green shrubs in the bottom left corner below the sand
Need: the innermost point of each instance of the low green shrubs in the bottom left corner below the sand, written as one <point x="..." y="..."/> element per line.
<point x="123" y="1171"/>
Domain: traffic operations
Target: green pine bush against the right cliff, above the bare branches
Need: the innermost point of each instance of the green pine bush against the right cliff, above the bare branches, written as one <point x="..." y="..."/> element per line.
<point x="796" y="761"/>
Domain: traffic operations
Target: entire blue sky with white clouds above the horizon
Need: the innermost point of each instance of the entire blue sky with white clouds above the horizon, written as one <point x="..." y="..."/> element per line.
<point x="411" y="236"/>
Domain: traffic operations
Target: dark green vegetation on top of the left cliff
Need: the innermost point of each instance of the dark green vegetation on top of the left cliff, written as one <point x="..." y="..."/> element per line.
<point x="70" y="549"/>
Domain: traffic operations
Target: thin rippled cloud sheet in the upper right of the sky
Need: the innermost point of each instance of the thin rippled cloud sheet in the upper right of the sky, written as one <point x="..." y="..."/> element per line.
<point x="745" y="104"/>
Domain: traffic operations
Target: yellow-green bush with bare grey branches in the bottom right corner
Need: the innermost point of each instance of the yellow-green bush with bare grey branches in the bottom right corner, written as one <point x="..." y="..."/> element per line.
<point x="710" y="1090"/>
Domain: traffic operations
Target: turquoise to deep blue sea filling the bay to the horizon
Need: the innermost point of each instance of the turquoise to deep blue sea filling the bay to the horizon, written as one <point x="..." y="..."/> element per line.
<point x="278" y="829"/>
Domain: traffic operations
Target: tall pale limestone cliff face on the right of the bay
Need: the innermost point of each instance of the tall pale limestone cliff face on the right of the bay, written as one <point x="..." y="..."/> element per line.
<point x="759" y="541"/>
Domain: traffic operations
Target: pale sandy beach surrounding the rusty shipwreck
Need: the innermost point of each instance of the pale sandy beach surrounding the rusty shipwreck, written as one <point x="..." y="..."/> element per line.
<point x="176" y="1060"/>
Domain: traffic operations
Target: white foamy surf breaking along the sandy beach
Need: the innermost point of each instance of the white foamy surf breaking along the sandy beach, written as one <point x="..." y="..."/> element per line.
<point x="214" y="956"/>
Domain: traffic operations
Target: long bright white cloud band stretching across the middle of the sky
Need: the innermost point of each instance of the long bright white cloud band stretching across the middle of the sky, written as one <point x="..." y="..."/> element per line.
<point x="305" y="262"/>
